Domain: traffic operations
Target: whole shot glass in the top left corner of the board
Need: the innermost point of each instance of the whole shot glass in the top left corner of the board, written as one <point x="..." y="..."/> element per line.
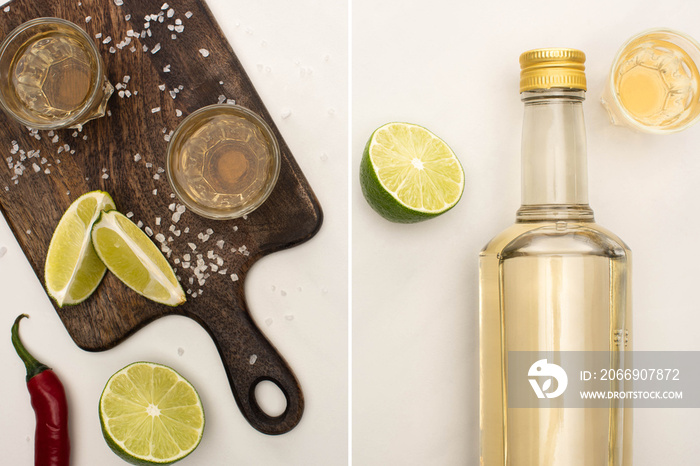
<point x="51" y="75"/>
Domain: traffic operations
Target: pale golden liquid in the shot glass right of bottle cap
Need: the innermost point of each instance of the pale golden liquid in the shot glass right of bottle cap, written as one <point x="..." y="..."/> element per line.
<point x="656" y="82"/>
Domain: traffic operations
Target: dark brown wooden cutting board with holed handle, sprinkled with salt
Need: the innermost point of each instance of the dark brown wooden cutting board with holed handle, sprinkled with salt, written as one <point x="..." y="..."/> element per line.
<point x="181" y="64"/>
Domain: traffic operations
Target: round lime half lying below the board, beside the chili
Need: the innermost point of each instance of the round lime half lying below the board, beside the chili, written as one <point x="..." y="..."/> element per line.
<point x="150" y="414"/>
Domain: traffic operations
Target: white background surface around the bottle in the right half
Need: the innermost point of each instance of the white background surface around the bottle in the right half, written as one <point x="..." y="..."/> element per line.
<point x="453" y="67"/>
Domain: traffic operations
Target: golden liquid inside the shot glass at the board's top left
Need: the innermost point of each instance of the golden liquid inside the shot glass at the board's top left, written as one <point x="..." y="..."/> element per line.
<point x="52" y="76"/>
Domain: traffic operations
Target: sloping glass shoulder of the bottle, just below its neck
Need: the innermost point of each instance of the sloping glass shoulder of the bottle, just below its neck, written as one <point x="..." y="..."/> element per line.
<point x="556" y="239"/>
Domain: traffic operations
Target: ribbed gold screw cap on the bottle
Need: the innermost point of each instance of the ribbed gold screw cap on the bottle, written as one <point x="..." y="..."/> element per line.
<point x="552" y="67"/>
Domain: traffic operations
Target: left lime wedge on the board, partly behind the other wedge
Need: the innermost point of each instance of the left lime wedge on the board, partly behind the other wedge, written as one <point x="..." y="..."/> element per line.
<point x="72" y="270"/>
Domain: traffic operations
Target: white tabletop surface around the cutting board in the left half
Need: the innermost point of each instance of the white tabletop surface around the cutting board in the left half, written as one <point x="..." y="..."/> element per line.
<point x="296" y="56"/>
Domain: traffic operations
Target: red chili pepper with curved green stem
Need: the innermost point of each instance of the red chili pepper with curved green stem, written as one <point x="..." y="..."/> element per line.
<point x="51" y="443"/>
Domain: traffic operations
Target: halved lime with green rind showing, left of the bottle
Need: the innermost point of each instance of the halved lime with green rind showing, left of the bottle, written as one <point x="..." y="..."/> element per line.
<point x="408" y="174"/>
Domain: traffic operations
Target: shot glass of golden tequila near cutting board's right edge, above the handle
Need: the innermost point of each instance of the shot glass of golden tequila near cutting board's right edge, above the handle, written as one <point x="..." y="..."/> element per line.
<point x="223" y="161"/>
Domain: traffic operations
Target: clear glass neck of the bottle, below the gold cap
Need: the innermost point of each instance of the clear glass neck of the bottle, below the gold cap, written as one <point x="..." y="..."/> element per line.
<point x="554" y="171"/>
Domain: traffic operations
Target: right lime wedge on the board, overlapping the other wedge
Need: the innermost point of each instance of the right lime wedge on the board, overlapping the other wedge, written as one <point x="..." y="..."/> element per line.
<point x="130" y="255"/>
